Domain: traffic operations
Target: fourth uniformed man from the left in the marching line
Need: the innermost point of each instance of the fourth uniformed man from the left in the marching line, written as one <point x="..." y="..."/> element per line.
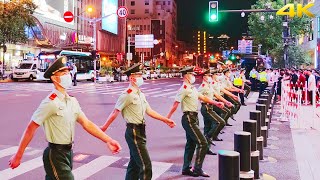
<point x="213" y="123"/>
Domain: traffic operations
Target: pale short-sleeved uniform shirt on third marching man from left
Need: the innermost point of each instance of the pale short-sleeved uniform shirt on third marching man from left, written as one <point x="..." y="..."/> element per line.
<point x="188" y="97"/>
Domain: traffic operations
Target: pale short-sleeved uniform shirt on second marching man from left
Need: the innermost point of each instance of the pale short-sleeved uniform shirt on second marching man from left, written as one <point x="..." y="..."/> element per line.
<point x="133" y="105"/>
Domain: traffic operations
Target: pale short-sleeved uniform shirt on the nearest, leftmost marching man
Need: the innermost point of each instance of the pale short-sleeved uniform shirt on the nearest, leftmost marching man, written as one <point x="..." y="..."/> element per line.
<point x="58" y="114"/>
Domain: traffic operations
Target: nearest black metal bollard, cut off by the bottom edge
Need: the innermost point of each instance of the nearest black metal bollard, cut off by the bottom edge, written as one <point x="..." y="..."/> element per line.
<point x="229" y="165"/>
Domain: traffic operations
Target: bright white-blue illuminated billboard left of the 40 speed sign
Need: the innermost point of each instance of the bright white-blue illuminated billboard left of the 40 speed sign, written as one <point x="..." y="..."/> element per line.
<point x="110" y="23"/>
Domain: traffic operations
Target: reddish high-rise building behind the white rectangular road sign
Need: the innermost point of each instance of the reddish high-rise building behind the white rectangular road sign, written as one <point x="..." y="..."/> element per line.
<point x="157" y="17"/>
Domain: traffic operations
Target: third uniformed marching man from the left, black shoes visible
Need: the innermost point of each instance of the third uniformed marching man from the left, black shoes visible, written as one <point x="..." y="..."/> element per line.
<point x="188" y="97"/>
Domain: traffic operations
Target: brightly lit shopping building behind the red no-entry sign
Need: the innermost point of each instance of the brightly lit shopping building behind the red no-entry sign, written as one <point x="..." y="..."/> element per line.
<point x="53" y="33"/>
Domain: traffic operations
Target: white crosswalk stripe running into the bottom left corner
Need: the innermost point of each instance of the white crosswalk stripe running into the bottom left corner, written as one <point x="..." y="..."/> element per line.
<point x="23" y="168"/>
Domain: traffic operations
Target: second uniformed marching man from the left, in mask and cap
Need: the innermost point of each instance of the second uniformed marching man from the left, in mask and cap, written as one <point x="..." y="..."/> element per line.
<point x="133" y="106"/>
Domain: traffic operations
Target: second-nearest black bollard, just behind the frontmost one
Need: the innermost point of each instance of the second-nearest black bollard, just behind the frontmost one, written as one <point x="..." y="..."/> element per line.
<point x="242" y="144"/>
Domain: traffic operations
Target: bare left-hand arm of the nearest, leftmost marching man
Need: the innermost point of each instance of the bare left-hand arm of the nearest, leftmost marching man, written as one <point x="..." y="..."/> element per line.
<point x="25" y="140"/>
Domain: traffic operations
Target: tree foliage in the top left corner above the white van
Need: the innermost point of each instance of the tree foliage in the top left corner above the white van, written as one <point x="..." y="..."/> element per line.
<point x="15" y="15"/>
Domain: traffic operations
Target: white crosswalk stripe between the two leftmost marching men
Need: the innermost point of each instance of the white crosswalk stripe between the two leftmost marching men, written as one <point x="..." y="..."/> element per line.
<point x="93" y="167"/>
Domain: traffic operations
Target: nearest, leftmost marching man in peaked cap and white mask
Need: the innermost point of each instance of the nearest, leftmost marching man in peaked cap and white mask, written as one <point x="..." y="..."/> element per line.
<point x="58" y="114"/>
